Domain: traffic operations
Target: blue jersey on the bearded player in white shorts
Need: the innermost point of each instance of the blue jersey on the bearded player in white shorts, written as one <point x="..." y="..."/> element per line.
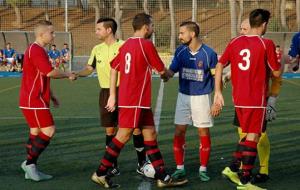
<point x="194" y="69"/>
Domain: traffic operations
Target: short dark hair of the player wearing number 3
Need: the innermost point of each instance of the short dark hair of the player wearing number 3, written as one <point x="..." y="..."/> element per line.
<point x="259" y="16"/>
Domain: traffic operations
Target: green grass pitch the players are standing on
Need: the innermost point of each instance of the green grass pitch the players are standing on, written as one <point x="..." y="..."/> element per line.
<point x="78" y="145"/>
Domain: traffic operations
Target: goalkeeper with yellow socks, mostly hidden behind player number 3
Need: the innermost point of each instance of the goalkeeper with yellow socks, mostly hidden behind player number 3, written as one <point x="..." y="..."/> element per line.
<point x="263" y="146"/>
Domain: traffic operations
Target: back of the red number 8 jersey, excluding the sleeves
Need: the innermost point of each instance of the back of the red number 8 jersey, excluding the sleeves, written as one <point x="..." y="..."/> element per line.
<point x="135" y="72"/>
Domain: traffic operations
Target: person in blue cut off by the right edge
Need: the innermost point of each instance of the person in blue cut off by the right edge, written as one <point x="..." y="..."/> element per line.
<point x="294" y="52"/>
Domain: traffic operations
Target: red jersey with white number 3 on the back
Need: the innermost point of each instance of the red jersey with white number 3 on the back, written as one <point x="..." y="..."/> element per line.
<point x="251" y="58"/>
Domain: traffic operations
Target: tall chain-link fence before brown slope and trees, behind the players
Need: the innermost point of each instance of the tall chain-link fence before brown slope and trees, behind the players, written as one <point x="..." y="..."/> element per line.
<point x="78" y="17"/>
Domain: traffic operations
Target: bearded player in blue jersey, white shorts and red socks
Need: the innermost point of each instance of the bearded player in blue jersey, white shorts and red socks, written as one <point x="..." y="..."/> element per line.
<point x="195" y="63"/>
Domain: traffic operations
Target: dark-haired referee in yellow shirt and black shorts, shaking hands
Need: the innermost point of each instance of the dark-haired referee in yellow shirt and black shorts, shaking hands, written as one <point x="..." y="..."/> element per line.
<point x="100" y="59"/>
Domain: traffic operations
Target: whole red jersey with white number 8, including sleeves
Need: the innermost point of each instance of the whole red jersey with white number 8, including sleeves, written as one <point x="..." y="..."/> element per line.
<point x="135" y="61"/>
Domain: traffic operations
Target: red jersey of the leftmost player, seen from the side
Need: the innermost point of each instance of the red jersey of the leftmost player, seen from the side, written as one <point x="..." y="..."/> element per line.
<point x="35" y="86"/>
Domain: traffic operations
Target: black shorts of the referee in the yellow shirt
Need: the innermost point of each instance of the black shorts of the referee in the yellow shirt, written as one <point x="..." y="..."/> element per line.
<point x="108" y="119"/>
